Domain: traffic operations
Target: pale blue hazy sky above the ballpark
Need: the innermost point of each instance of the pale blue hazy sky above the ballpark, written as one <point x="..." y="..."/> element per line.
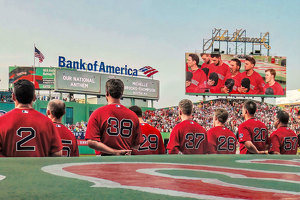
<point x="139" y="33"/>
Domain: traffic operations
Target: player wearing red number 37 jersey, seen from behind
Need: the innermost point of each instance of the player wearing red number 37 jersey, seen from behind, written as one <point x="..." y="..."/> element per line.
<point x="187" y="137"/>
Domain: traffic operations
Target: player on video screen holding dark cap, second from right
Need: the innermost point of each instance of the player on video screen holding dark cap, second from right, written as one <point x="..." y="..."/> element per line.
<point x="254" y="83"/>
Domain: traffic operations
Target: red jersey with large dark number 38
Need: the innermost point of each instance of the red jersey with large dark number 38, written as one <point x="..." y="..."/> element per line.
<point x="116" y="126"/>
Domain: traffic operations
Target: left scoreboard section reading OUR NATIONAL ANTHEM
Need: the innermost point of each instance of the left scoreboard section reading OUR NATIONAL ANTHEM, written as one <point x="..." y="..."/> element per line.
<point x="77" y="82"/>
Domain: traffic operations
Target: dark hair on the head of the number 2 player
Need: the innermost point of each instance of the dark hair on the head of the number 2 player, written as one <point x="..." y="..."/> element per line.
<point x="24" y="91"/>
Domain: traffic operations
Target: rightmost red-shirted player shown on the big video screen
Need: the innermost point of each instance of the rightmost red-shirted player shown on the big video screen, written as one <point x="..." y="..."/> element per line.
<point x="272" y="87"/>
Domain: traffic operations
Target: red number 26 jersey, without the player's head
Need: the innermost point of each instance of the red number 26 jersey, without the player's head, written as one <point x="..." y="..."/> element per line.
<point x="221" y="141"/>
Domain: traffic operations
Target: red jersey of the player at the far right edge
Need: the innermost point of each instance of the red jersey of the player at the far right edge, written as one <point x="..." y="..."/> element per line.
<point x="284" y="141"/>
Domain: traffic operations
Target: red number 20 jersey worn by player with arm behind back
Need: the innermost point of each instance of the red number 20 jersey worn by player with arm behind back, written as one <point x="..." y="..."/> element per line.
<point x="255" y="131"/>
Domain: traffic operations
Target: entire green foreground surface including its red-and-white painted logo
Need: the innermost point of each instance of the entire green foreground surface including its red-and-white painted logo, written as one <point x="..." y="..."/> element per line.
<point x="151" y="177"/>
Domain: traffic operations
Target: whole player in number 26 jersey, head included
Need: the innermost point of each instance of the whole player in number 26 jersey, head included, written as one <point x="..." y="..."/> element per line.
<point x="220" y="139"/>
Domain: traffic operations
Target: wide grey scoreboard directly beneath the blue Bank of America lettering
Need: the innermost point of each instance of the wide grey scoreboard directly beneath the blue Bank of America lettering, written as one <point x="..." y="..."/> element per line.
<point x="94" y="83"/>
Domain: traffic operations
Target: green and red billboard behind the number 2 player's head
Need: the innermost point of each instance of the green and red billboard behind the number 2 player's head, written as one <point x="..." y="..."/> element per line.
<point x="42" y="77"/>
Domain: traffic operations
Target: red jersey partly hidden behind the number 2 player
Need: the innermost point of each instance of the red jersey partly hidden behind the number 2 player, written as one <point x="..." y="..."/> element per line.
<point x="68" y="140"/>
